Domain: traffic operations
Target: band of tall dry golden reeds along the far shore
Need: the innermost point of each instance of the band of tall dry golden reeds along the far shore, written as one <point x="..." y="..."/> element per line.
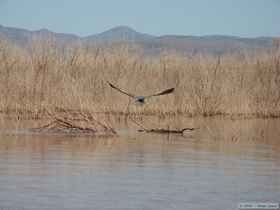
<point x="46" y="77"/>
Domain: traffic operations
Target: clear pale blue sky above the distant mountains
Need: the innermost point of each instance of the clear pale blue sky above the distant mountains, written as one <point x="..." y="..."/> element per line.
<point x="249" y="18"/>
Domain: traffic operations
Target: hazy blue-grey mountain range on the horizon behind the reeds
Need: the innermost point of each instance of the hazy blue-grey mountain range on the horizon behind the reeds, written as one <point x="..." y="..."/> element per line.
<point x="213" y="44"/>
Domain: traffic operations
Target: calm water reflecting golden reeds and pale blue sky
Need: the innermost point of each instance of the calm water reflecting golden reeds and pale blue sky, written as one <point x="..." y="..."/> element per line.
<point x="216" y="167"/>
